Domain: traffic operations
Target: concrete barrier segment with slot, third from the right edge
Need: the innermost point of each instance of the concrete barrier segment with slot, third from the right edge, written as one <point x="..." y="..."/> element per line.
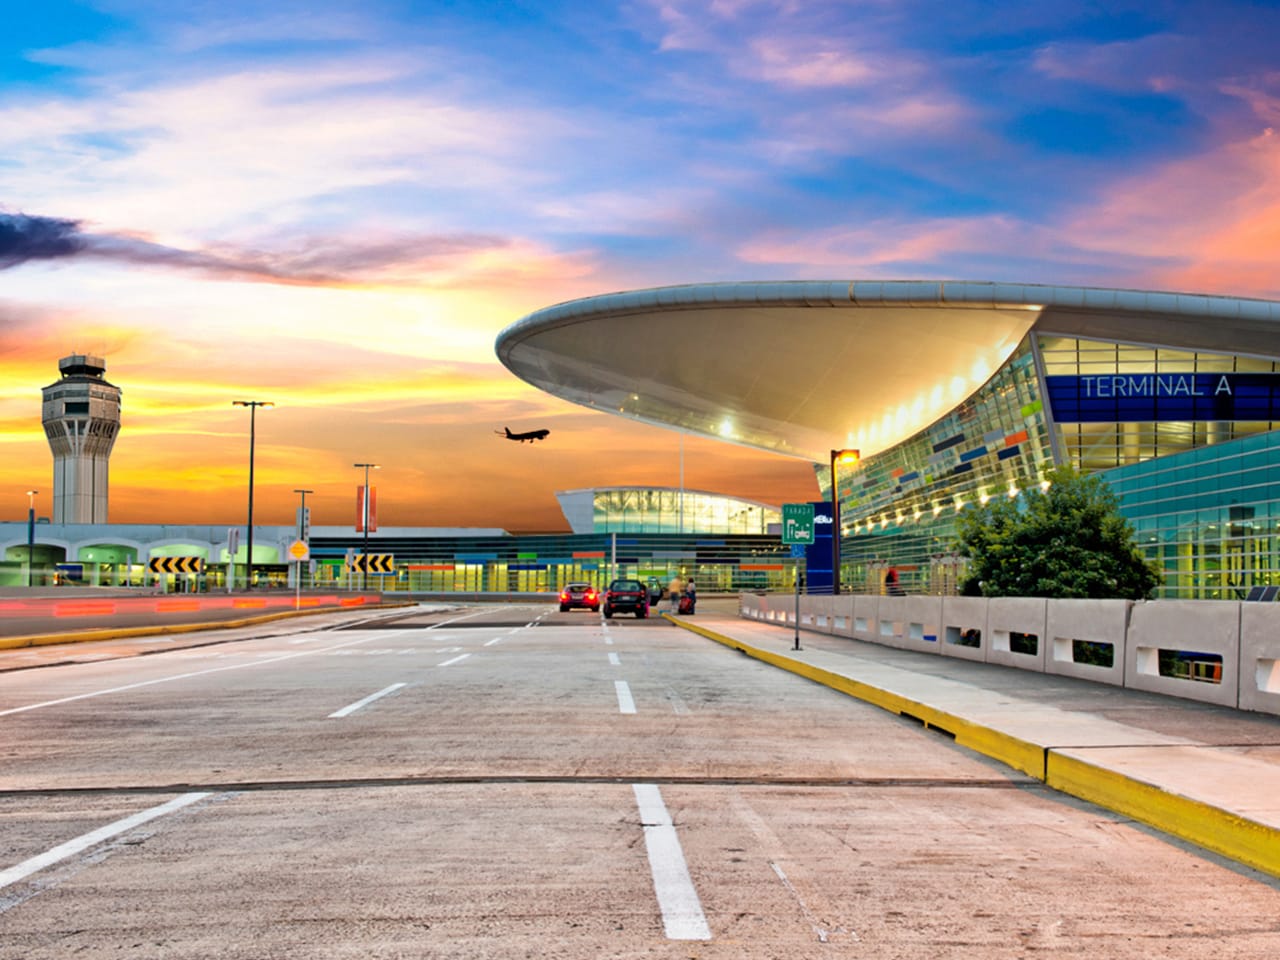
<point x="1086" y="639"/>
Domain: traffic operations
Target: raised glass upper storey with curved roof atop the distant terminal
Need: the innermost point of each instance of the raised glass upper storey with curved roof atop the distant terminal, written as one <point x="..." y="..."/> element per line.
<point x="665" y="510"/>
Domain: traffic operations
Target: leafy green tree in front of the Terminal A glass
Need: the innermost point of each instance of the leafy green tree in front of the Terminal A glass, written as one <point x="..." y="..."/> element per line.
<point x="1068" y="542"/>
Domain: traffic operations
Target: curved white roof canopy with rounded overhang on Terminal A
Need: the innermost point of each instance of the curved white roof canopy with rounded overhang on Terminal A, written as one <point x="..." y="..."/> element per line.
<point x="808" y="367"/>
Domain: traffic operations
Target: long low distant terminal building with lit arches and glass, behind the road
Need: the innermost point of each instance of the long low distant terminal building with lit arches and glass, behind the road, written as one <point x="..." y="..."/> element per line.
<point x="728" y="546"/>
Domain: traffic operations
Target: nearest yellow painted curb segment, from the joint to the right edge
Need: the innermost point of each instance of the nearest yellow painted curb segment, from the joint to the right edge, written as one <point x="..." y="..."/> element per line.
<point x="1227" y="834"/>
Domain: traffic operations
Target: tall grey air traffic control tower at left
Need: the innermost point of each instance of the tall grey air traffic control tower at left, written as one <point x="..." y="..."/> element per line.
<point x="83" y="418"/>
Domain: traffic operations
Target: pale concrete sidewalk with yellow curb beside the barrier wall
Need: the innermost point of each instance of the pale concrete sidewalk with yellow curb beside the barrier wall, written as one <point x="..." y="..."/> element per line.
<point x="1204" y="774"/>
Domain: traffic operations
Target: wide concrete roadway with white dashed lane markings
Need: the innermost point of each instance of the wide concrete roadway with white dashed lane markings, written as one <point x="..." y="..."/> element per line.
<point x="514" y="781"/>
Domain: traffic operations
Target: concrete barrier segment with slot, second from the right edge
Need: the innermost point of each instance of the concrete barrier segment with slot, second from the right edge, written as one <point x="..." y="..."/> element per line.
<point x="1186" y="648"/>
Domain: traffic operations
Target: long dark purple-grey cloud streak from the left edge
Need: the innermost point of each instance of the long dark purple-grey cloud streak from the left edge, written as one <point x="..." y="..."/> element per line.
<point x="327" y="262"/>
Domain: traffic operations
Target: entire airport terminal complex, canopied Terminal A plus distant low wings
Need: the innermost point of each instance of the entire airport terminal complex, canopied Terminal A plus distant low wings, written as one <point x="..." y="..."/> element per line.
<point x="952" y="392"/>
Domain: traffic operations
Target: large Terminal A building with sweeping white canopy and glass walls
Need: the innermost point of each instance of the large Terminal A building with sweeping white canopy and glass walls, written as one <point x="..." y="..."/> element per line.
<point x="954" y="394"/>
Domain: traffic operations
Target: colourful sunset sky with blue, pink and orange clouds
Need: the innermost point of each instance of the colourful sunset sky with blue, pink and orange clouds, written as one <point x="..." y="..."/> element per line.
<point x="337" y="207"/>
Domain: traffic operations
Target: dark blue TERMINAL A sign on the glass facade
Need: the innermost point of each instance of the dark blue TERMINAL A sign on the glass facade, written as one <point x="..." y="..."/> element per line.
<point x="1112" y="399"/>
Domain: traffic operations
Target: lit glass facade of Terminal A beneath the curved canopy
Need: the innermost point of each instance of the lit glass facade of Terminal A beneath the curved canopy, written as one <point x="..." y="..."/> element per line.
<point x="1204" y="496"/>
